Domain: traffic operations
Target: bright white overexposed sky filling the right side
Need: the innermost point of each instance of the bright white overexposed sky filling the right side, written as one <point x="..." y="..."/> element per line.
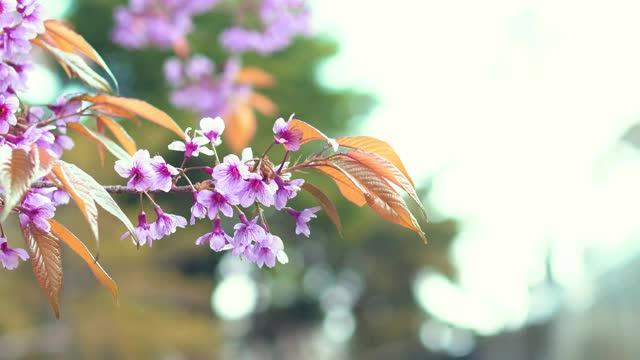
<point x="516" y="108"/>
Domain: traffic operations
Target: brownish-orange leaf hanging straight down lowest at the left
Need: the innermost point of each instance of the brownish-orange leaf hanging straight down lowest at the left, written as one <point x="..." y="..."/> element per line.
<point x="46" y="260"/>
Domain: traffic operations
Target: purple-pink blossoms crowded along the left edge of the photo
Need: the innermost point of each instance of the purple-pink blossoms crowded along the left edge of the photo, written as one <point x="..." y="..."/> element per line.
<point x="22" y="126"/>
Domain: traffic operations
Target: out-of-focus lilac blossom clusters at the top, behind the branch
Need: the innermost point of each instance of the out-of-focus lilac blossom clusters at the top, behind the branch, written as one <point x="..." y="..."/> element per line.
<point x="195" y="82"/>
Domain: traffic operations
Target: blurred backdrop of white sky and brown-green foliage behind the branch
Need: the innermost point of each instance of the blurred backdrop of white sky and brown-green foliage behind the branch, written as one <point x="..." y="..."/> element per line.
<point x="519" y="120"/>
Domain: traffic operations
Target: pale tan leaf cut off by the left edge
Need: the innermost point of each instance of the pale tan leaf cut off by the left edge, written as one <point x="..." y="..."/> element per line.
<point x="17" y="170"/>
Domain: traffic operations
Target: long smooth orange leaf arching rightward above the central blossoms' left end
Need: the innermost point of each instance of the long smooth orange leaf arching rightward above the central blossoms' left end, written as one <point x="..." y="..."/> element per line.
<point x="113" y="105"/>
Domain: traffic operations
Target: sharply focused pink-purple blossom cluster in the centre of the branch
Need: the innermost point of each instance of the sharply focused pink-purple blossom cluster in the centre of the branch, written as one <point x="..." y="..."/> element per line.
<point x="236" y="186"/>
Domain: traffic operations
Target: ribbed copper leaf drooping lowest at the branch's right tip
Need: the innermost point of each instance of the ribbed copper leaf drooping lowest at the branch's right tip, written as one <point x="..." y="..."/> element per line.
<point x="380" y="195"/>
